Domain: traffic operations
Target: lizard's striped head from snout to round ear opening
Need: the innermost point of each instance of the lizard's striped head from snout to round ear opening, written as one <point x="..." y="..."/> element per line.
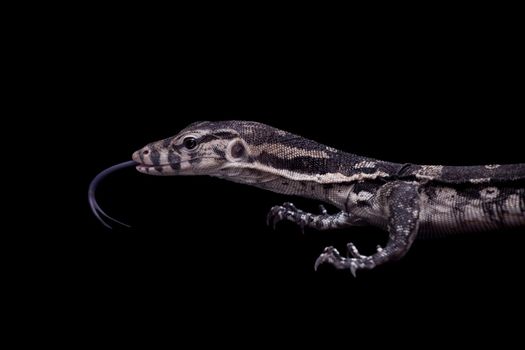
<point x="202" y="148"/>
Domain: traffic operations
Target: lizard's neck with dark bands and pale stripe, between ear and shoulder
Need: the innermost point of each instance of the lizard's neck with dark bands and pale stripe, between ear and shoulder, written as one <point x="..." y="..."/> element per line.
<point x="289" y="164"/>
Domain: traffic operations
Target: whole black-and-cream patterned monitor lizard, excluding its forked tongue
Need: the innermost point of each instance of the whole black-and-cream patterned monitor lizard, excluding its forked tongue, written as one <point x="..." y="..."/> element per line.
<point x="406" y="200"/>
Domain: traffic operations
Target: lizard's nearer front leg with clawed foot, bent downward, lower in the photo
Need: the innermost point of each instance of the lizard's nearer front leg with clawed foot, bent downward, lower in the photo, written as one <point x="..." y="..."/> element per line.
<point x="403" y="209"/>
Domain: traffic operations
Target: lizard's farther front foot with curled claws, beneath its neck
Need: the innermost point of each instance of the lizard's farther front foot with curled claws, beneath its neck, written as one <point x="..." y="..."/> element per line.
<point x="323" y="221"/>
